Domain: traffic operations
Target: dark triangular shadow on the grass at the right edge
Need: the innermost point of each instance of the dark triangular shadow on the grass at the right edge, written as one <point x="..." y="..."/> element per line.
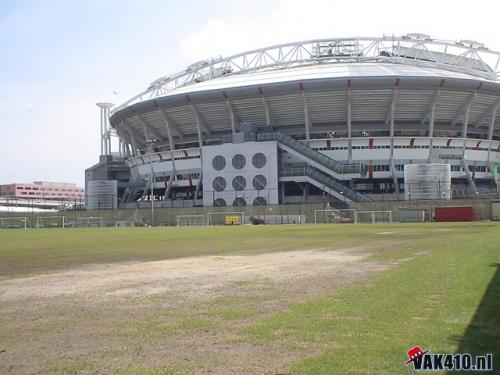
<point x="482" y="336"/>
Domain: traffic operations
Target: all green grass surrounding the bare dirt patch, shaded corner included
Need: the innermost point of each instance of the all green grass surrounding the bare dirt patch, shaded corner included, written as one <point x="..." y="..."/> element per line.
<point x="445" y="299"/>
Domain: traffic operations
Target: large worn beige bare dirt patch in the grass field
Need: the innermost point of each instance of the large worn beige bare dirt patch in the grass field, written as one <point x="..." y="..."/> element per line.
<point x="181" y="313"/>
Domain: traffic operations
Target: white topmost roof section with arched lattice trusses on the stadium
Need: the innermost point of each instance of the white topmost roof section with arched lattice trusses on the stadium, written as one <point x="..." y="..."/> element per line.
<point x="464" y="56"/>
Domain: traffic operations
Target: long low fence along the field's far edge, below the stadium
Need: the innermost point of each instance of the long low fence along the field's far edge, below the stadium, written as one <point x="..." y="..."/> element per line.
<point x="287" y="213"/>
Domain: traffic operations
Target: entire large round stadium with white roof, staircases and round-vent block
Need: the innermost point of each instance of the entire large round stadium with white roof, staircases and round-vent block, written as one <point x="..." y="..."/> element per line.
<point x="337" y="118"/>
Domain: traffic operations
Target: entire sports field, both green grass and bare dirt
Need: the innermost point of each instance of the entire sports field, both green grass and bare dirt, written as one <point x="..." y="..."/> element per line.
<point x="299" y="299"/>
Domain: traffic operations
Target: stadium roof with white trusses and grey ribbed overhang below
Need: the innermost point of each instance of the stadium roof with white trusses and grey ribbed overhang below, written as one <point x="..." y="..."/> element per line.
<point x="278" y="85"/>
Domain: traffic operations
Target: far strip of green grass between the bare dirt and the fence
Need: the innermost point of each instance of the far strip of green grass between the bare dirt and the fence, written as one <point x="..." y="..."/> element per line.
<point x="34" y="251"/>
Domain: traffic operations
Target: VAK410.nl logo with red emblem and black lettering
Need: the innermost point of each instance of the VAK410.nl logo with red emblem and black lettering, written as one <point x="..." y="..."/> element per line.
<point x="423" y="360"/>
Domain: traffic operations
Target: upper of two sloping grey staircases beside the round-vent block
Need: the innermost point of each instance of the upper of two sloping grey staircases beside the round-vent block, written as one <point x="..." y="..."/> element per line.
<point x="318" y="157"/>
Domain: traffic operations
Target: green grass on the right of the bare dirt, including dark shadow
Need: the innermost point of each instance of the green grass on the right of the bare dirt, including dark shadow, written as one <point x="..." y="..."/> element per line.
<point x="446" y="300"/>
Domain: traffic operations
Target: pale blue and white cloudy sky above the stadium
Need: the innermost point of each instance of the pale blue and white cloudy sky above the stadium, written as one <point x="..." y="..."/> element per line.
<point x="60" y="57"/>
